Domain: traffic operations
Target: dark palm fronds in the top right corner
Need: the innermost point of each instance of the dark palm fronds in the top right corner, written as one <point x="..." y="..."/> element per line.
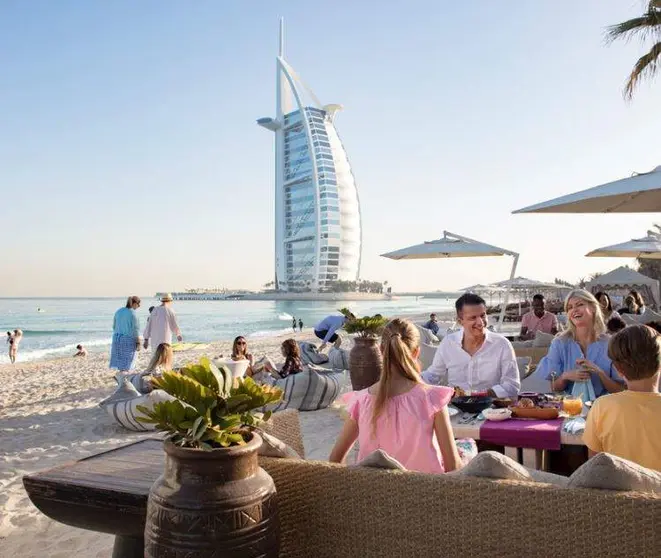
<point x="646" y="26"/>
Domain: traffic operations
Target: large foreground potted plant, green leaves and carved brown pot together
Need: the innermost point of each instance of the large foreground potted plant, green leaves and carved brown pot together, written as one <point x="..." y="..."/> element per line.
<point x="212" y="498"/>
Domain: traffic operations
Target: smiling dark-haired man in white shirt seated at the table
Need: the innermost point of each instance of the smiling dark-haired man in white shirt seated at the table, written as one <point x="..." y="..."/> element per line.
<point x="474" y="358"/>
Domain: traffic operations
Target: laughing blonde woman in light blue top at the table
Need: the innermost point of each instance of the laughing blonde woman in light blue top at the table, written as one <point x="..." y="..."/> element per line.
<point x="580" y="353"/>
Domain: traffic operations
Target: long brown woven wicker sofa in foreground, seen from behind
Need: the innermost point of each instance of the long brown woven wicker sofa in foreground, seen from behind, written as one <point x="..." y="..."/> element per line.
<point x="329" y="510"/>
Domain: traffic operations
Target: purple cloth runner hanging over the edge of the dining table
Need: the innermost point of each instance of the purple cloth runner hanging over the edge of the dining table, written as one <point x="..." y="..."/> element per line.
<point x="515" y="433"/>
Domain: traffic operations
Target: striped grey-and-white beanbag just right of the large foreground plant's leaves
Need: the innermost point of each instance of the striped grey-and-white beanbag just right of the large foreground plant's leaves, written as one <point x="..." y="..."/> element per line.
<point x="307" y="391"/>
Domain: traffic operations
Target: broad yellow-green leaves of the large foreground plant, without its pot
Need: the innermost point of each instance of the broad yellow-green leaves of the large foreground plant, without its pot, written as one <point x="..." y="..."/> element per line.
<point x="210" y="409"/>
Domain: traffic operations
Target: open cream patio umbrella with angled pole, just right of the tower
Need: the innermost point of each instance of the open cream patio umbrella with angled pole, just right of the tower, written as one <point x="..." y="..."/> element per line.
<point x="455" y="246"/>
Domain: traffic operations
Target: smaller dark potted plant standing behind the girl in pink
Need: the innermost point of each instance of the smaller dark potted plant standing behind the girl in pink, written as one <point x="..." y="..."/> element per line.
<point x="365" y="359"/>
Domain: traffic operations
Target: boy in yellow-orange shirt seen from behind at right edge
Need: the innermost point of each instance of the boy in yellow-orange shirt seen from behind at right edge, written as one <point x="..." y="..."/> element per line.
<point x="627" y="424"/>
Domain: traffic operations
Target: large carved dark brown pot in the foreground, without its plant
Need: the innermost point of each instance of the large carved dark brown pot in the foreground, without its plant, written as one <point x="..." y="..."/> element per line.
<point x="211" y="504"/>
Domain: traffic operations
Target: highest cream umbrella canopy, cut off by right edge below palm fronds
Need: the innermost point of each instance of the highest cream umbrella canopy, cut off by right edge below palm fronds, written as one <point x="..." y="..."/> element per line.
<point x="640" y="193"/>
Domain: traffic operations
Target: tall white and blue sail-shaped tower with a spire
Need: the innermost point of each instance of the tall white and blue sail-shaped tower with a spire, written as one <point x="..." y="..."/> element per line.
<point x="317" y="212"/>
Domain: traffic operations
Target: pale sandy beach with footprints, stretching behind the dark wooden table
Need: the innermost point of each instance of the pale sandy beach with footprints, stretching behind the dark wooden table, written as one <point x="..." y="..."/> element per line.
<point x="49" y="415"/>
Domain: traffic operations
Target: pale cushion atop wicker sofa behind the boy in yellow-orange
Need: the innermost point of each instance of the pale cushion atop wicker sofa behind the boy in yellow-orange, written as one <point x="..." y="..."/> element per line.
<point x="610" y="472"/>
